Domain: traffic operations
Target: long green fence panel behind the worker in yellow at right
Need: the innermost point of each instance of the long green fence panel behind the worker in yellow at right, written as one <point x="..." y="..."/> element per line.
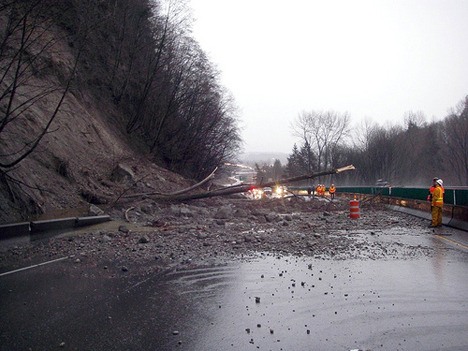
<point x="452" y="196"/>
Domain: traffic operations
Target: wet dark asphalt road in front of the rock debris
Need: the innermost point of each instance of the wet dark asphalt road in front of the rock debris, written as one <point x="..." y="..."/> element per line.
<point x="267" y="302"/>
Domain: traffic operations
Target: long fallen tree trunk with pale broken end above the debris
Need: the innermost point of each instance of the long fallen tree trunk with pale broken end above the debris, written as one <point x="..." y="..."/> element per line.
<point x="236" y="189"/>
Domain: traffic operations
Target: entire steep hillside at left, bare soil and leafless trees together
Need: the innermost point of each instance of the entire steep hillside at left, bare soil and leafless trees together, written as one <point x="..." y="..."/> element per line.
<point x="87" y="90"/>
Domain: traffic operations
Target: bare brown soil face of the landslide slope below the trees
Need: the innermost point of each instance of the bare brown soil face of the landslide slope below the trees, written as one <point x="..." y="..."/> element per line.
<point x="73" y="165"/>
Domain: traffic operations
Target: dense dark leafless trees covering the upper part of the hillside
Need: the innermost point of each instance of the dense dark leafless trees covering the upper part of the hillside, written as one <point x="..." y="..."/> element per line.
<point x="141" y="55"/>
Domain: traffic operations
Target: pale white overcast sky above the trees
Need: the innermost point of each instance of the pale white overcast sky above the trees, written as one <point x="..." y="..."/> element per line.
<point x="375" y="59"/>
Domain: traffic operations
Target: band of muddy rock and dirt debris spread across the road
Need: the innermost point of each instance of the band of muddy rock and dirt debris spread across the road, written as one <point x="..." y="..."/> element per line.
<point x="205" y="232"/>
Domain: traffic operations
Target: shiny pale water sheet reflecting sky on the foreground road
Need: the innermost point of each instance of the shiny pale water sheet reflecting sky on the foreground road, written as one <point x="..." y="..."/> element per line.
<point x="288" y="303"/>
